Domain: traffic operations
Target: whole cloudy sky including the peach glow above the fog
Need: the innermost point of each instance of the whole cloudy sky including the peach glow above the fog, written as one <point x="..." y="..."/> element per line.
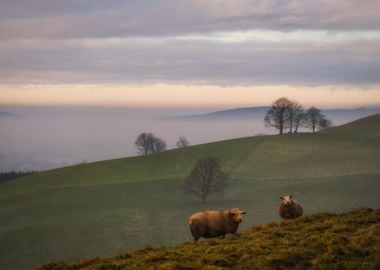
<point x="168" y="52"/>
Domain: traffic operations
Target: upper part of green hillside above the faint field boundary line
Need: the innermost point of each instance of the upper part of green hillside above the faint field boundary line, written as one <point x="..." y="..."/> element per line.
<point x="348" y="149"/>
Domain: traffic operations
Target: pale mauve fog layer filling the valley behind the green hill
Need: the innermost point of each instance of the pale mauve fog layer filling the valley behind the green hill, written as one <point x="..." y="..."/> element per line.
<point x="43" y="138"/>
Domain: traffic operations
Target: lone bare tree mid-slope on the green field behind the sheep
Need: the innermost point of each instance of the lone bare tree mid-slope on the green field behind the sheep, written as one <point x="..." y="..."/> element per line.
<point x="206" y="177"/>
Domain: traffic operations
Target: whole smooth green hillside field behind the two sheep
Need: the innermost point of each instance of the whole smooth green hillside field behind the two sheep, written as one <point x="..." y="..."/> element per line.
<point x="105" y="208"/>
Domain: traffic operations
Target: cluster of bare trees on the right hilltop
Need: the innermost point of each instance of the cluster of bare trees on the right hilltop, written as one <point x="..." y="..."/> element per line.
<point x="288" y="116"/>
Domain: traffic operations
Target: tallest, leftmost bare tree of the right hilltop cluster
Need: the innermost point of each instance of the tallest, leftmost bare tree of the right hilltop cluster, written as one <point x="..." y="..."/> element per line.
<point x="277" y="115"/>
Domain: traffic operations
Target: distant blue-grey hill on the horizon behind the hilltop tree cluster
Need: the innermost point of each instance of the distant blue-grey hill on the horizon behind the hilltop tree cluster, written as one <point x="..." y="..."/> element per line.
<point x="338" y="116"/>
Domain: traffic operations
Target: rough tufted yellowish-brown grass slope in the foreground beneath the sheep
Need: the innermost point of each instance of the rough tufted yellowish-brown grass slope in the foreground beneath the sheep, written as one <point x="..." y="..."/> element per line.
<point x="320" y="241"/>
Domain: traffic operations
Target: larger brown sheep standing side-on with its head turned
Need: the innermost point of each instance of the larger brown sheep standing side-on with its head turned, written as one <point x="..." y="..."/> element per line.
<point x="210" y="224"/>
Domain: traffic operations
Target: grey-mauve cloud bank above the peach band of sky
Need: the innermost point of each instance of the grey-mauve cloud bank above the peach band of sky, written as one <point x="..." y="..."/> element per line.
<point x="217" y="42"/>
